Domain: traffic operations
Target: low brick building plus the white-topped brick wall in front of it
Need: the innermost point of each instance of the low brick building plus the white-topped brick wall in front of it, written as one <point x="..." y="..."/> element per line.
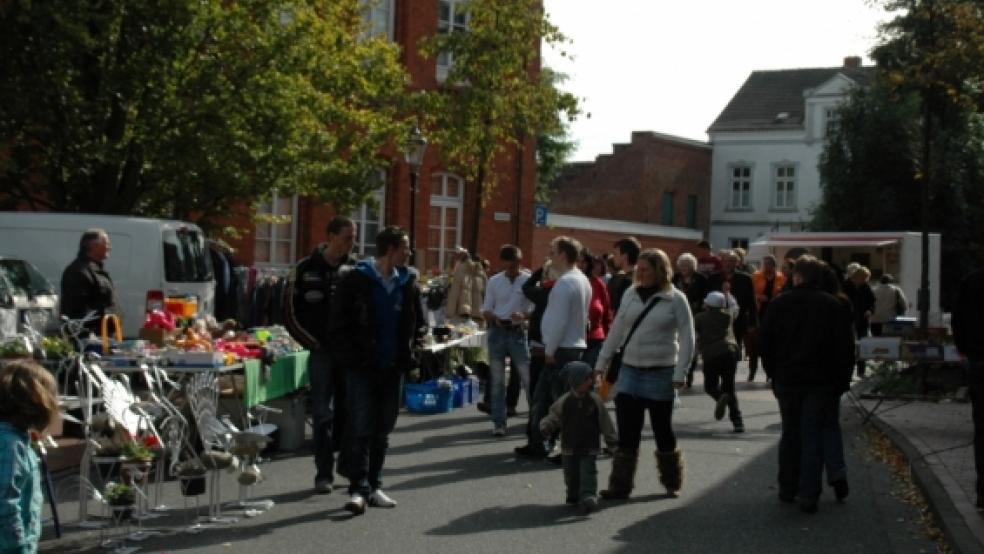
<point x="655" y="188"/>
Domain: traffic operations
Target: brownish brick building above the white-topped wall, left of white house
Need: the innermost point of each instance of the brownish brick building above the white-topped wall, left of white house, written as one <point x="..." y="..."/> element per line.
<point x="628" y="184"/>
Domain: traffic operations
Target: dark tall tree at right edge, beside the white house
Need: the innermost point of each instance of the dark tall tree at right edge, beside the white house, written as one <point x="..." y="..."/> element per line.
<point x="917" y="129"/>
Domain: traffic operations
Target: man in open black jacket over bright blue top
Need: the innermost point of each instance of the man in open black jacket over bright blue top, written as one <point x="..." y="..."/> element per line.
<point x="376" y="319"/>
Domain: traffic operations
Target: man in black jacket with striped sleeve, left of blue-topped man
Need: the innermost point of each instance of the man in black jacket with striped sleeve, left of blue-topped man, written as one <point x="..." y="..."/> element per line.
<point x="307" y="301"/>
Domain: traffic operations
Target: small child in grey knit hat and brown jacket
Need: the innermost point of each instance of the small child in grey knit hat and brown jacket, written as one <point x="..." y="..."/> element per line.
<point x="581" y="417"/>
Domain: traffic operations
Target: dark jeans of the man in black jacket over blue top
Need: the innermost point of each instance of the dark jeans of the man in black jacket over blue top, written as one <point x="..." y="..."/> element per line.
<point x="373" y="404"/>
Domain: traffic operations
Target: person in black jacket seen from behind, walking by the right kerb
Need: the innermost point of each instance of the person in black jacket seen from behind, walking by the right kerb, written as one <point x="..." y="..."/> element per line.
<point x="807" y="347"/>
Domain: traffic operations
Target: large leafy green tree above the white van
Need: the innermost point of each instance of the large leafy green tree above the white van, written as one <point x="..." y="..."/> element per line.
<point x="189" y="108"/>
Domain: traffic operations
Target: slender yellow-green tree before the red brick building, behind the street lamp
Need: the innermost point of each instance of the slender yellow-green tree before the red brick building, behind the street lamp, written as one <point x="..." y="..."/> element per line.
<point x="494" y="97"/>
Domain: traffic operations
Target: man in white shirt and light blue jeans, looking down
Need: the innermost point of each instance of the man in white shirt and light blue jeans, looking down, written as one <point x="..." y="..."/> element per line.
<point x="506" y="310"/>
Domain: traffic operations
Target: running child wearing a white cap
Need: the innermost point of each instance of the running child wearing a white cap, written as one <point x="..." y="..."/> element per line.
<point x="719" y="350"/>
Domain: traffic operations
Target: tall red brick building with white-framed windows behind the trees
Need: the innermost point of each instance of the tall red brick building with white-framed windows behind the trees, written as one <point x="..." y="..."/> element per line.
<point x="444" y="200"/>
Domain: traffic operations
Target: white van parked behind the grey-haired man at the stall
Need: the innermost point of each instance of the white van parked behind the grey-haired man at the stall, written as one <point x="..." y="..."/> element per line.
<point x="150" y="259"/>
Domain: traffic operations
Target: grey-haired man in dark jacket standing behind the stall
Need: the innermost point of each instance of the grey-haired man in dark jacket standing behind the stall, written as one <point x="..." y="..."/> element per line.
<point x="86" y="285"/>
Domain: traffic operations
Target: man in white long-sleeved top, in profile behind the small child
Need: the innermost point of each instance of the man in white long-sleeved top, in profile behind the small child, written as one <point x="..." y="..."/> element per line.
<point x="564" y="330"/>
